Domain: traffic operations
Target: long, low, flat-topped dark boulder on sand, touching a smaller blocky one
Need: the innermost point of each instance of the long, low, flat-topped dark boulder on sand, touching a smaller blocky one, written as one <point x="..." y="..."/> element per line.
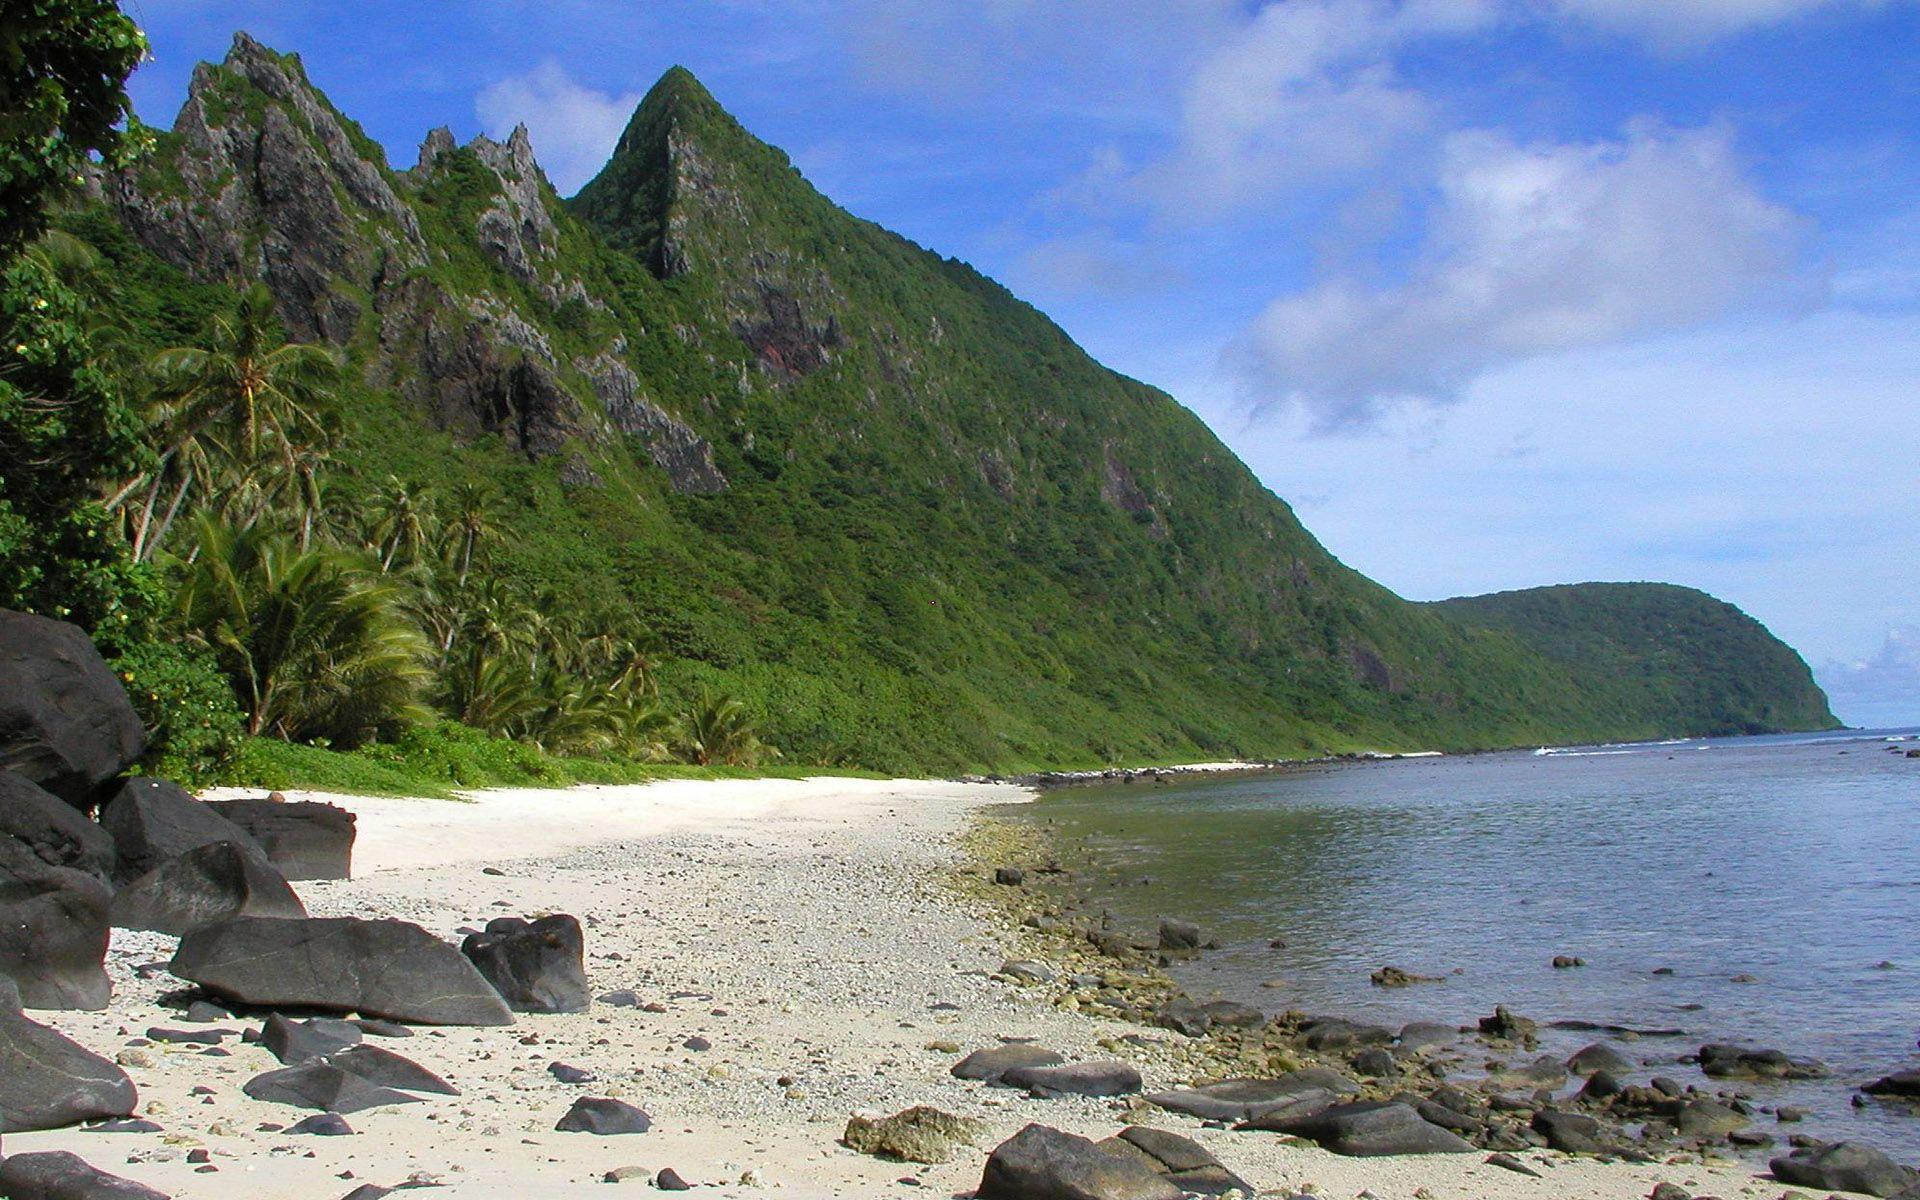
<point x="377" y="969"/>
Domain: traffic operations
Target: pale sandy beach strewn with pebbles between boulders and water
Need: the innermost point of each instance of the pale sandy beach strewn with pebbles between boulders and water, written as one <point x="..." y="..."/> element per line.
<point x="804" y="928"/>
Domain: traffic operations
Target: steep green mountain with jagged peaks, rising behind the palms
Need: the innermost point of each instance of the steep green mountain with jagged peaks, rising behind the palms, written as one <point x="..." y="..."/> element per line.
<point x="852" y="481"/>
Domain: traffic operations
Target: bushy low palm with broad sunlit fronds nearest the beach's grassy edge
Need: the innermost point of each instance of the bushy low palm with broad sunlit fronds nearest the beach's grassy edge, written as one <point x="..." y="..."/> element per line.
<point x="314" y="642"/>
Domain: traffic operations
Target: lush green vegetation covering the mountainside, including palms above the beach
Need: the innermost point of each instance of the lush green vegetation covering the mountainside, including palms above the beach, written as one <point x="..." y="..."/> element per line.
<point x="948" y="539"/>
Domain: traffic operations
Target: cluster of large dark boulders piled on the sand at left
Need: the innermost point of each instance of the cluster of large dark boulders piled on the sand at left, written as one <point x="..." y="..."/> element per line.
<point x="87" y="850"/>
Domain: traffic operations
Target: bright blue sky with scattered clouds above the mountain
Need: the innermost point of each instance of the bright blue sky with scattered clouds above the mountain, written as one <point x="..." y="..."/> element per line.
<point x="1495" y="293"/>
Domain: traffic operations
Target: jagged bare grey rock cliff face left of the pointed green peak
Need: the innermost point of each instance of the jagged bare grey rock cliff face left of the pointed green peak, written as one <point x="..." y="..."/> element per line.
<point x="264" y="181"/>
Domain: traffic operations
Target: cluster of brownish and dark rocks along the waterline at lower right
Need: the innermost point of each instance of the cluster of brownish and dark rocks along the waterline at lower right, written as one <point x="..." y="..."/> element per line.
<point x="1366" y="1090"/>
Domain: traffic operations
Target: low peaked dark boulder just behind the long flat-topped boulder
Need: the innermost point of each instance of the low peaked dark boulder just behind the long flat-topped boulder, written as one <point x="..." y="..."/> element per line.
<point x="203" y="888"/>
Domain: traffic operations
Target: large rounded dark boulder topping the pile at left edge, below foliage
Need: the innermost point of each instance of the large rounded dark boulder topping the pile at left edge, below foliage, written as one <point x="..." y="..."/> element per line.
<point x="64" y="715"/>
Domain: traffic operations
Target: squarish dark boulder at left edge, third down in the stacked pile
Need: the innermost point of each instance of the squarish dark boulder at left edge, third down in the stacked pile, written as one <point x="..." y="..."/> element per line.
<point x="53" y="932"/>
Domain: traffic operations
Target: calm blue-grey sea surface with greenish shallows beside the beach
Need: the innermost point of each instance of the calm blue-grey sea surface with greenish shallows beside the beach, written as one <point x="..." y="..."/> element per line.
<point x="1788" y="859"/>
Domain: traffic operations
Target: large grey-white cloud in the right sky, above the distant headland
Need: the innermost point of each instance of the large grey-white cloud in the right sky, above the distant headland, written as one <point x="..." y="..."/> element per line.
<point x="1533" y="251"/>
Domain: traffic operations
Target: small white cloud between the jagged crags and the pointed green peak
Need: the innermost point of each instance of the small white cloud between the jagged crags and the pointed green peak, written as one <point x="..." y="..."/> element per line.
<point x="573" y="128"/>
